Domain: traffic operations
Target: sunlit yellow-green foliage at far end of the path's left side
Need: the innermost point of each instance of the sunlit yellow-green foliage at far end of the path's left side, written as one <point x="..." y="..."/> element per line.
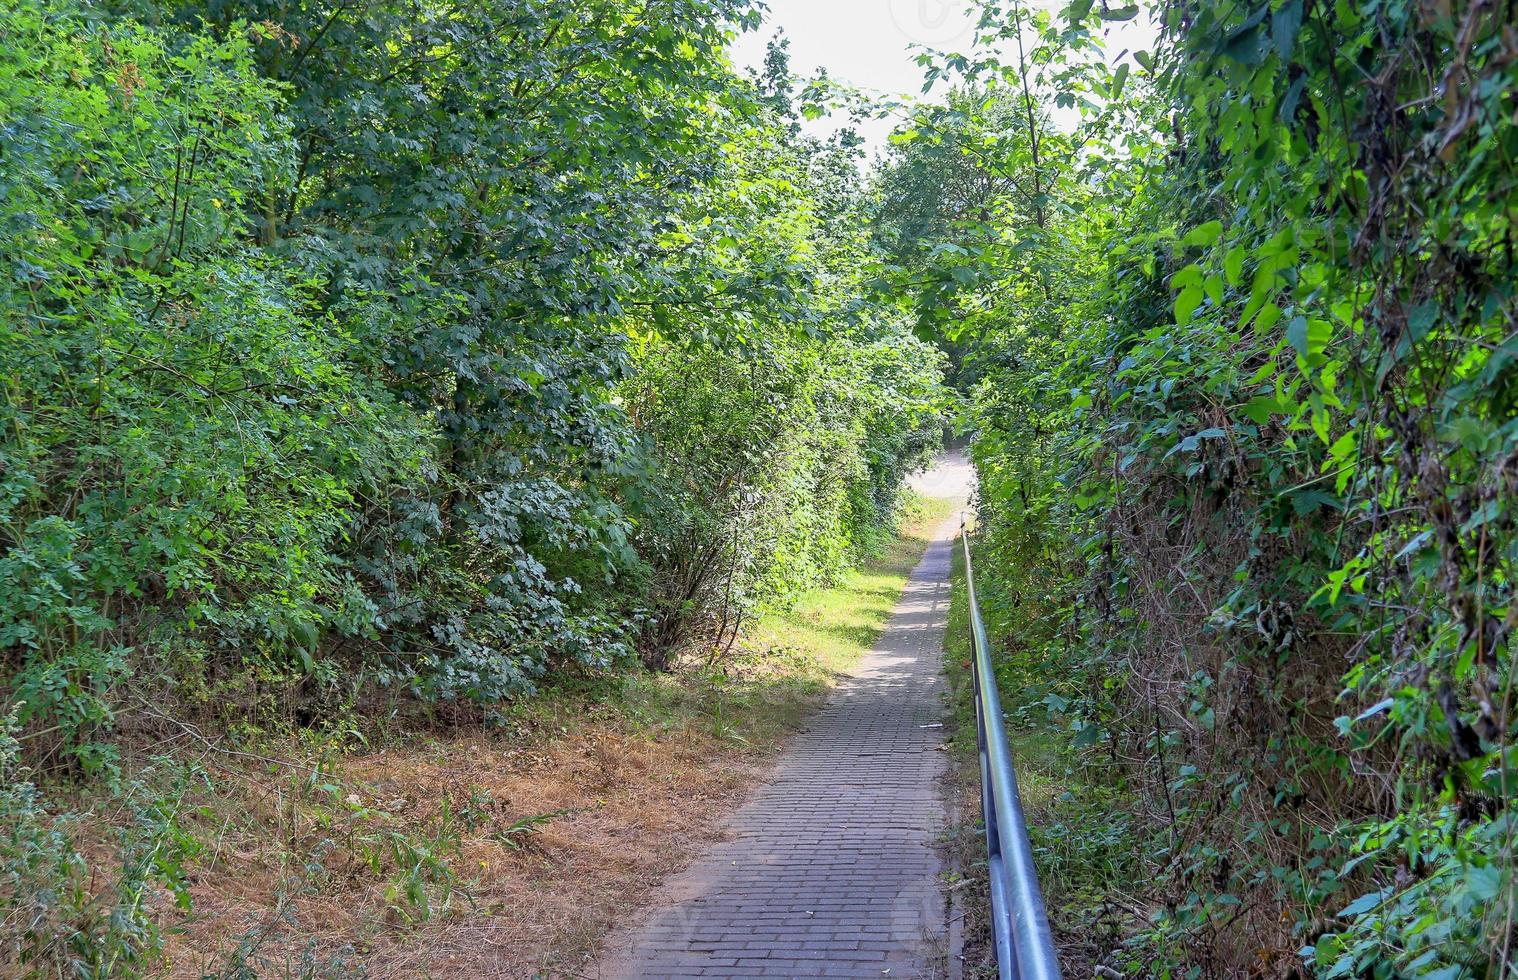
<point x="778" y="451"/>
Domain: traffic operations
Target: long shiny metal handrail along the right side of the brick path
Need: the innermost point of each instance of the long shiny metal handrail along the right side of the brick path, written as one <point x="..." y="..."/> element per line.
<point x="1019" y="923"/>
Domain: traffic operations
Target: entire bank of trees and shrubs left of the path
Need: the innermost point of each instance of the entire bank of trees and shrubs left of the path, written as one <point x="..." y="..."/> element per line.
<point x="438" y="348"/>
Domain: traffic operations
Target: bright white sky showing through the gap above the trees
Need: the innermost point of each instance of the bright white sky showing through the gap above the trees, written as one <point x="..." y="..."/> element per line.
<point x="869" y="43"/>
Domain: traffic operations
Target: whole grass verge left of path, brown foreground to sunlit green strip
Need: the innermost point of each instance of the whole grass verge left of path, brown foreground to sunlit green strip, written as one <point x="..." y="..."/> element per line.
<point x="503" y="852"/>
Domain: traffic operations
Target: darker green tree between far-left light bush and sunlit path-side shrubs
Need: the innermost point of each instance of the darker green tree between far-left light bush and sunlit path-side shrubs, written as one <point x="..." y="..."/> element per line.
<point x="497" y="180"/>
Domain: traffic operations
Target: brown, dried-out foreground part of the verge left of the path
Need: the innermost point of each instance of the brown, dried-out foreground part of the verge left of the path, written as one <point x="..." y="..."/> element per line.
<point x="464" y="858"/>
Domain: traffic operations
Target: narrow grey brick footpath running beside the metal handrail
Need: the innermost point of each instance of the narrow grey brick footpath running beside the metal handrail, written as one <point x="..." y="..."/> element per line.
<point x="831" y="870"/>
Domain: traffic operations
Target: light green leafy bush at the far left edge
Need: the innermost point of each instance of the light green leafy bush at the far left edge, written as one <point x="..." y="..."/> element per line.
<point x="183" y="442"/>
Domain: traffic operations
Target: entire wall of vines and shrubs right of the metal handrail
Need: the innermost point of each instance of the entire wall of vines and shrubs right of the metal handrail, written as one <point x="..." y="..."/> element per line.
<point x="1247" y="433"/>
